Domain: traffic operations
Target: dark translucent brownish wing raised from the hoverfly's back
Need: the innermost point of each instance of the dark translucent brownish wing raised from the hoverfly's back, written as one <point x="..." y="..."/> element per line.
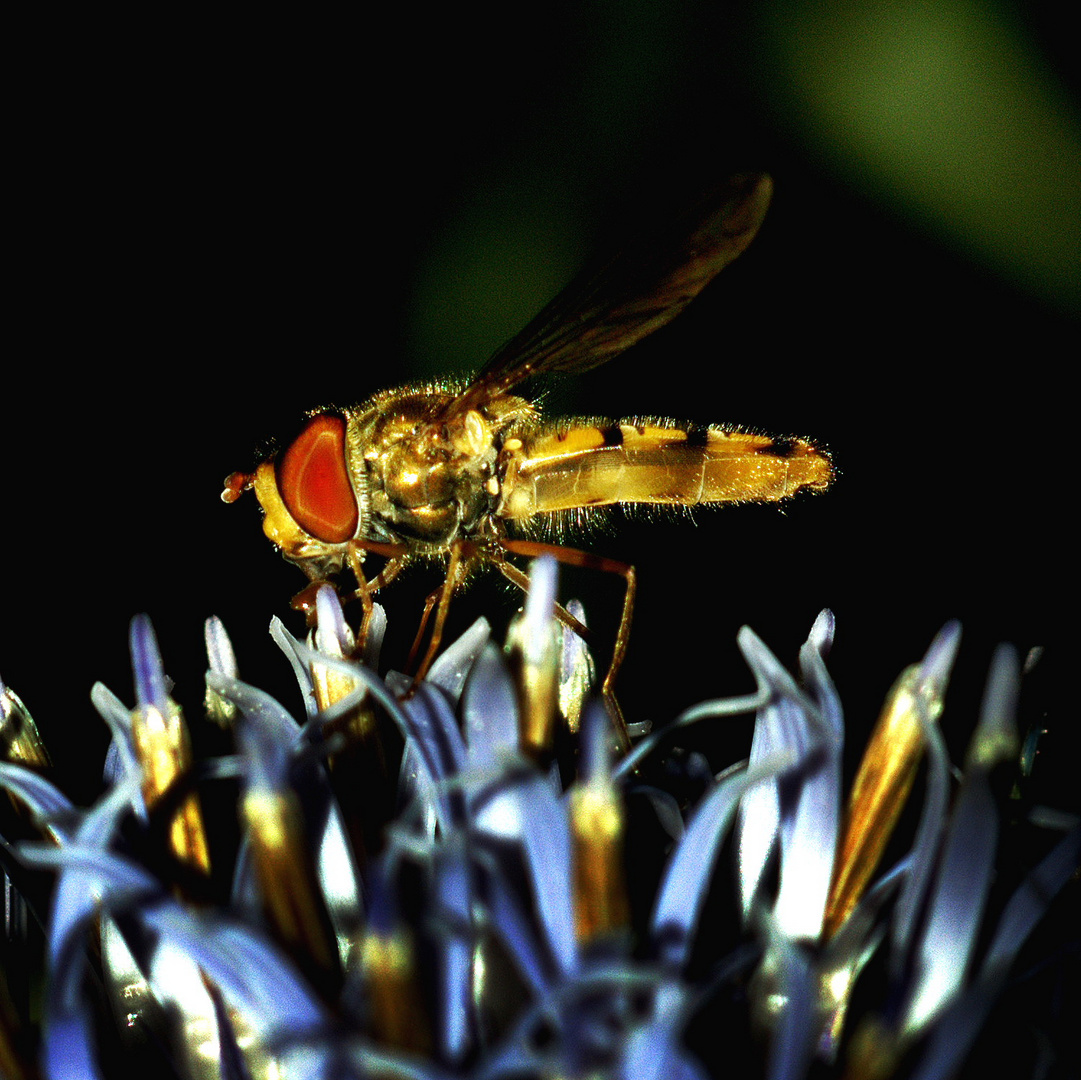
<point x="604" y="313"/>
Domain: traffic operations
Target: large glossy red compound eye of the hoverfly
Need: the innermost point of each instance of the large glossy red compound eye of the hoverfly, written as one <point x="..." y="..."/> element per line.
<point x="314" y="482"/>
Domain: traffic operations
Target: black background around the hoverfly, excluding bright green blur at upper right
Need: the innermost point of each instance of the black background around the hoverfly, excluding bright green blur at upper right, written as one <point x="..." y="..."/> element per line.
<point x="222" y="224"/>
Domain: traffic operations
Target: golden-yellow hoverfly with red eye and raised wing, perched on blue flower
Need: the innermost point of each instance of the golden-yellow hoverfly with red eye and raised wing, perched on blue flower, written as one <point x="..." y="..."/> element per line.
<point x="457" y="472"/>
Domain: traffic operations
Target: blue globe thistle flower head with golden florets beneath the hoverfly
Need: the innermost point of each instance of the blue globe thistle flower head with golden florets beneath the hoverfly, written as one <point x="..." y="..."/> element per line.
<point x="434" y="879"/>
